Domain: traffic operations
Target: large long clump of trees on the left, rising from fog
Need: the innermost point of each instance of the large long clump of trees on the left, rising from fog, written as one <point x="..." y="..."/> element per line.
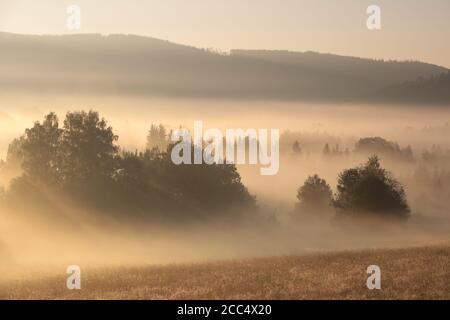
<point x="80" y="159"/>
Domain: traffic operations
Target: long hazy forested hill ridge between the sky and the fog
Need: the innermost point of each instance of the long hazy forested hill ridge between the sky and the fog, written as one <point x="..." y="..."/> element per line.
<point x="128" y="64"/>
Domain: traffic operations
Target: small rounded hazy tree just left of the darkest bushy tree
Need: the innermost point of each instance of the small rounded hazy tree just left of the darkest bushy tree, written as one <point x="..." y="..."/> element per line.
<point x="315" y="194"/>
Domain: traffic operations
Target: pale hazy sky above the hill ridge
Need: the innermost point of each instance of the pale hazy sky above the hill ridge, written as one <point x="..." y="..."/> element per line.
<point x="411" y="29"/>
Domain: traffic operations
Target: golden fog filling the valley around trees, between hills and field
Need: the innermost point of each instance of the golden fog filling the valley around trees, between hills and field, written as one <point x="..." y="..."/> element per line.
<point x="35" y="238"/>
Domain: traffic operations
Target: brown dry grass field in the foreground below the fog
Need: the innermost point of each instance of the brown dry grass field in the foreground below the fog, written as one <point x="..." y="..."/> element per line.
<point x="417" y="273"/>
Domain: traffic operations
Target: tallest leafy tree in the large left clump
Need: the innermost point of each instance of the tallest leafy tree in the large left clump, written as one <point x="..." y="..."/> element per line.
<point x="88" y="147"/>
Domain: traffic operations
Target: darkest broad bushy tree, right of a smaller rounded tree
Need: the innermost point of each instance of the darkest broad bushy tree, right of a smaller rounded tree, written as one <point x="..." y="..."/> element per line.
<point x="370" y="189"/>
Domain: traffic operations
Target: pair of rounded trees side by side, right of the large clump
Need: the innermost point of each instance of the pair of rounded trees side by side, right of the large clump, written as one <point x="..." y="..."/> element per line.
<point x="366" y="190"/>
